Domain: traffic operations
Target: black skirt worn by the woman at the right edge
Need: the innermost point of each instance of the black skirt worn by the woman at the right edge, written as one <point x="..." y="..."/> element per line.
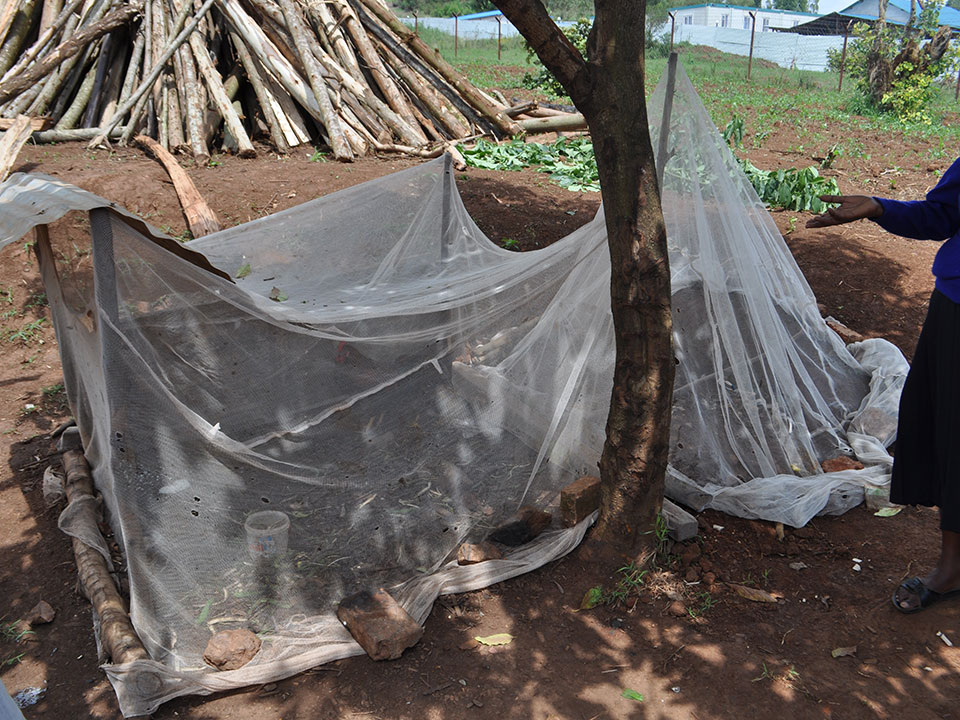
<point x="926" y="466"/>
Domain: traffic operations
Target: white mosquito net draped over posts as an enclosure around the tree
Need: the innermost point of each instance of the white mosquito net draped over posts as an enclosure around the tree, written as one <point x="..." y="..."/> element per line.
<point x="395" y="384"/>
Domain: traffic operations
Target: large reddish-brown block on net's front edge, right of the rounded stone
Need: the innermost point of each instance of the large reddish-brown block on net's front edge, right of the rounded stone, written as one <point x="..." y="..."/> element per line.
<point x="376" y="621"/>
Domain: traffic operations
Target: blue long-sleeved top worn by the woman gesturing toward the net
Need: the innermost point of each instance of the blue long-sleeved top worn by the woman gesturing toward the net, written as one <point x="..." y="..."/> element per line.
<point x="935" y="218"/>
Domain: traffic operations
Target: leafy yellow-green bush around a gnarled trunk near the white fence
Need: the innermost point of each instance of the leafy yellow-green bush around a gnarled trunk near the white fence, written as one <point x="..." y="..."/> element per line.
<point x="896" y="68"/>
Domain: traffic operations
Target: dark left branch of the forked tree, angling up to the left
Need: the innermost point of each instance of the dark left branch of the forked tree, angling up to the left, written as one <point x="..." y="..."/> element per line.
<point x="553" y="48"/>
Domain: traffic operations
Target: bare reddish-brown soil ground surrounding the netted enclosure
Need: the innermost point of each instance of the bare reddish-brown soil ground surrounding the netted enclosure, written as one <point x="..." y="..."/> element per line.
<point x="687" y="642"/>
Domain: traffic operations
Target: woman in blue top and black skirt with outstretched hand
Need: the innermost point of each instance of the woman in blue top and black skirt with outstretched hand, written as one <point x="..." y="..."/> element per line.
<point x="926" y="467"/>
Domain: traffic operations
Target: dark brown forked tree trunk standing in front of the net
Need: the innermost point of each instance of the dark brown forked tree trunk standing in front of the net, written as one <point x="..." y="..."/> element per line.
<point x="609" y="91"/>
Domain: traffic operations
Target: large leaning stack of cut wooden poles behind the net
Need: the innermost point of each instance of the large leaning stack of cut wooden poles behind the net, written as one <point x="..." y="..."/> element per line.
<point x="346" y="74"/>
